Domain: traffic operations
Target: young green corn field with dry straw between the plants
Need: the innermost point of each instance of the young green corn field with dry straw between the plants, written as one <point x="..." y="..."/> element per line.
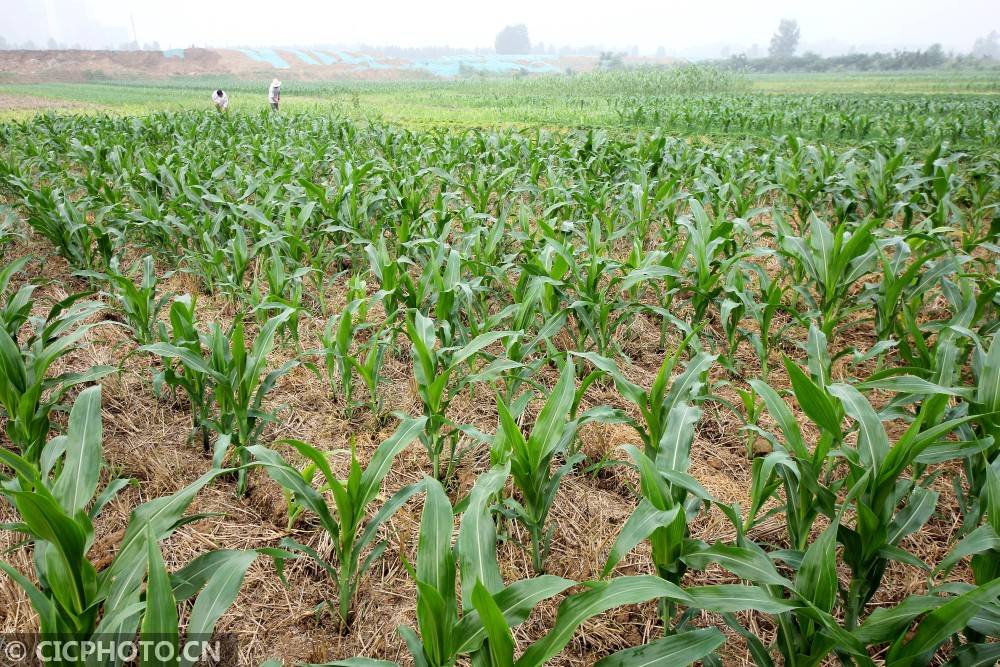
<point x="429" y="355"/>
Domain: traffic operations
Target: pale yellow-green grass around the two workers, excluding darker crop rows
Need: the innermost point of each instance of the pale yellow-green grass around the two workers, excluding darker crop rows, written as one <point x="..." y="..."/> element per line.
<point x="555" y="102"/>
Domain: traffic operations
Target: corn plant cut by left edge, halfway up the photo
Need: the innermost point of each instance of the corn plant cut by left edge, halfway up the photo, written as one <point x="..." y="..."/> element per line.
<point x="28" y="394"/>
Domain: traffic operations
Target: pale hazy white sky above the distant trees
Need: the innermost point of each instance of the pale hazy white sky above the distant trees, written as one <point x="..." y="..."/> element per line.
<point x="680" y="27"/>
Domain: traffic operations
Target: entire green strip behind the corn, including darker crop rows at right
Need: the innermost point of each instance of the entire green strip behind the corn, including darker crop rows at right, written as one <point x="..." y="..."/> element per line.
<point x="561" y="102"/>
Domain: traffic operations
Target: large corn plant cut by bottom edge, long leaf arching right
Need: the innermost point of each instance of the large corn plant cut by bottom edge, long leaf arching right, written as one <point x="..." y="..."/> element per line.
<point x="448" y="630"/>
